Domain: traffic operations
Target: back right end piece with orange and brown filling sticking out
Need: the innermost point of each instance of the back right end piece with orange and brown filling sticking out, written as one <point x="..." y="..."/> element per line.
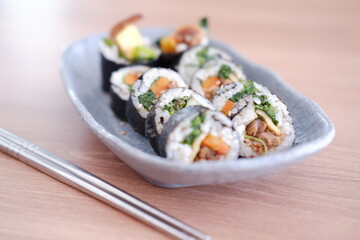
<point x="185" y="37"/>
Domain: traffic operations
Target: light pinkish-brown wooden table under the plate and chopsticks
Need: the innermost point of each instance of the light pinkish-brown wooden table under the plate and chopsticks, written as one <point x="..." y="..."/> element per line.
<point x="313" y="45"/>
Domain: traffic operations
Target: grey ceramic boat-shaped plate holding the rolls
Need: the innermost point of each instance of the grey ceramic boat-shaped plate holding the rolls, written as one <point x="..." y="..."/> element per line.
<point x="80" y="69"/>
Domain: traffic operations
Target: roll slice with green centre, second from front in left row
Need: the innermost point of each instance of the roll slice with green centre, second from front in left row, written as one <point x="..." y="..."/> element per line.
<point x="169" y="103"/>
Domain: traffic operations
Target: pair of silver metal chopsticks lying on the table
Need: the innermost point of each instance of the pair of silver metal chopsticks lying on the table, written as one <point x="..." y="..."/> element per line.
<point x="86" y="182"/>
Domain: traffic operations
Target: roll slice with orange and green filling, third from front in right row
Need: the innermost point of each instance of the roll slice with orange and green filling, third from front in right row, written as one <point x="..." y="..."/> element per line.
<point x="213" y="75"/>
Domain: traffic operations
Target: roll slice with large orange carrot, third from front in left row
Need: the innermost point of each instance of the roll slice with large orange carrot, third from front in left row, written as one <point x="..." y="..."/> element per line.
<point x="146" y="92"/>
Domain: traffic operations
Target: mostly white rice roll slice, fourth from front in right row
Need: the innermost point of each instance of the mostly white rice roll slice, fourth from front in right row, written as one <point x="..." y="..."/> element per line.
<point x="196" y="57"/>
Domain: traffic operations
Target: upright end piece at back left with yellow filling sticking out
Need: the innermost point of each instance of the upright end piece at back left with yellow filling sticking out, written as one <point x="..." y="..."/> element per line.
<point x="124" y="47"/>
